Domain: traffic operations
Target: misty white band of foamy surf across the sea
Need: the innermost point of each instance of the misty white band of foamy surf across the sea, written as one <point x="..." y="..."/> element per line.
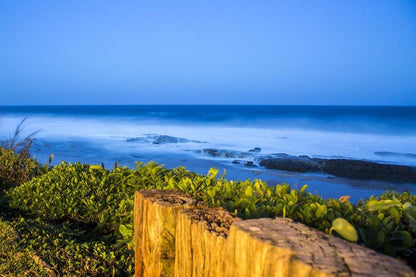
<point x="113" y="133"/>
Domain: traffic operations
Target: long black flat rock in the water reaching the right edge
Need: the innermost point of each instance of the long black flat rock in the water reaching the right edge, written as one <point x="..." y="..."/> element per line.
<point x="355" y="169"/>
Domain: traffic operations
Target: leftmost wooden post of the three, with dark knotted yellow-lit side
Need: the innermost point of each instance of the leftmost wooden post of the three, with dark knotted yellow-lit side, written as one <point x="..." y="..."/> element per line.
<point x="155" y="214"/>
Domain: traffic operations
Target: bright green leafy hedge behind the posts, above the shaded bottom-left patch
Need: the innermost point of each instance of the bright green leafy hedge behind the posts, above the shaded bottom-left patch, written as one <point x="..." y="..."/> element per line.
<point x="102" y="200"/>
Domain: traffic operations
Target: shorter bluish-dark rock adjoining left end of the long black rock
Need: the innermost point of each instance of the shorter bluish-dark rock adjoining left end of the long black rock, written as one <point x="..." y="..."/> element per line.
<point x="291" y="163"/>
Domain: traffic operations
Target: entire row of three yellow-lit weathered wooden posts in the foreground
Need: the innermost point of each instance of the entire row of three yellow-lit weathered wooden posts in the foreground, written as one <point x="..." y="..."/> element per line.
<point x="176" y="236"/>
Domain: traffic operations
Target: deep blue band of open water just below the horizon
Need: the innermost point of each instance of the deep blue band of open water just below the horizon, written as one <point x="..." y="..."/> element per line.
<point x="368" y="119"/>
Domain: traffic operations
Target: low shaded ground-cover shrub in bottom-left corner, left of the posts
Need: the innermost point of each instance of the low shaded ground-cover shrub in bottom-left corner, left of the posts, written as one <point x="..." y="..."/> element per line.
<point x="73" y="250"/>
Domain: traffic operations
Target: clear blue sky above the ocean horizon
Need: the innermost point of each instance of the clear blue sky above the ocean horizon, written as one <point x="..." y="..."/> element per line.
<point x="208" y="52"/>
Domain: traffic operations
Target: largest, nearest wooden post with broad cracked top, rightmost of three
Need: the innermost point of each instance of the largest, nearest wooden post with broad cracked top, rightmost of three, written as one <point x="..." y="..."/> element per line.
<point x="282" y="247"/>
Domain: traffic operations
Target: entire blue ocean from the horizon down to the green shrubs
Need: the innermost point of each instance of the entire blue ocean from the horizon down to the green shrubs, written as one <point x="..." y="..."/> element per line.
<point x="177" y="135"/>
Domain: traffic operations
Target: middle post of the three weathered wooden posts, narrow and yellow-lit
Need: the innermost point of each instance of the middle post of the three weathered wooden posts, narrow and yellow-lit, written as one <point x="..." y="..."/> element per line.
<point x="200" y="241"/>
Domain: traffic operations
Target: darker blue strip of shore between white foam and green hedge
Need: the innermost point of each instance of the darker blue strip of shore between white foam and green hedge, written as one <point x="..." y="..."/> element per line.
<point x="325" y="185"/>
